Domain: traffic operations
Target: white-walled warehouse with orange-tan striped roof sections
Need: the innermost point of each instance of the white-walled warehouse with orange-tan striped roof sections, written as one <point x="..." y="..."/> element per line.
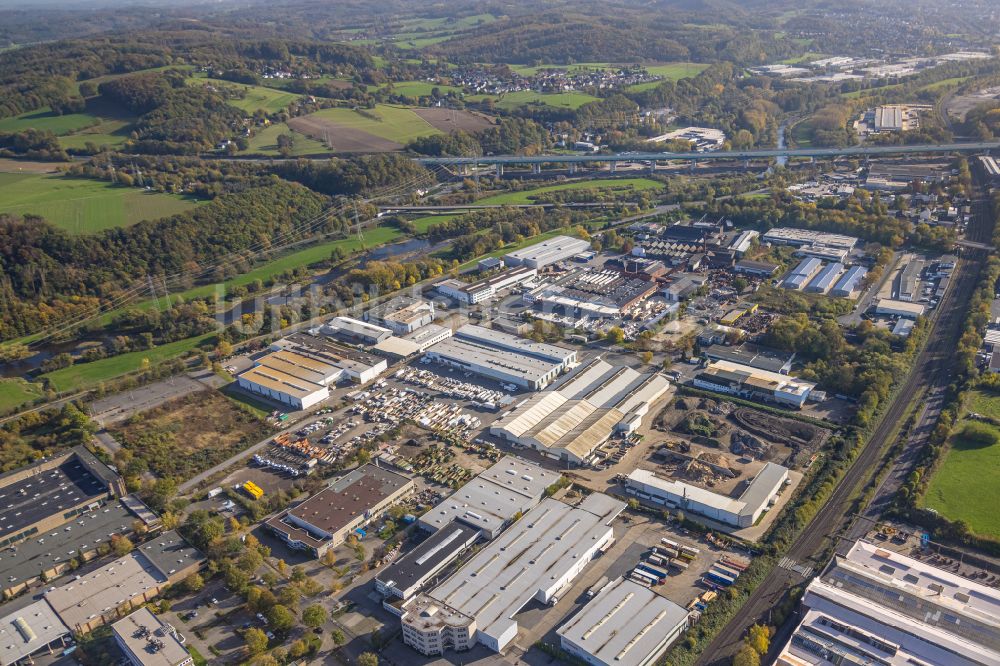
<point x="302" y="367"/>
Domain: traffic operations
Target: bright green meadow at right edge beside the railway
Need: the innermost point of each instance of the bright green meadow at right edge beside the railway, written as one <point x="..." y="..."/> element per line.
<point x="966" y="484"/>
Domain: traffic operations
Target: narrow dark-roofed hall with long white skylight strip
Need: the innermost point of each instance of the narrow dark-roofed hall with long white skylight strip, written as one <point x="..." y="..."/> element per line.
<point x="407" y="575"/>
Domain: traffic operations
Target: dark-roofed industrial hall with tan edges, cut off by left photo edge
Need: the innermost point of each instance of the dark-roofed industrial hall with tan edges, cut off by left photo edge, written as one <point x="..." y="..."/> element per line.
<point x="51" y="492"/>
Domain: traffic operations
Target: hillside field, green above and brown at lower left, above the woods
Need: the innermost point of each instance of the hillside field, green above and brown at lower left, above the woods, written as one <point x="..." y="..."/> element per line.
<point x="382" y="129"/>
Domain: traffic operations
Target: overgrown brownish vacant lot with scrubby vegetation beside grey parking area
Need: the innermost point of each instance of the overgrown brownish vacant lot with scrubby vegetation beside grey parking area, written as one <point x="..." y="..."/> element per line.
<point x="188" y="435"/>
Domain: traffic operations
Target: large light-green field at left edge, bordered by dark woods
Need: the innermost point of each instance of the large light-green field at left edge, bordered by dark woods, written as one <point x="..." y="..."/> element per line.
<point x="84" y="206"/>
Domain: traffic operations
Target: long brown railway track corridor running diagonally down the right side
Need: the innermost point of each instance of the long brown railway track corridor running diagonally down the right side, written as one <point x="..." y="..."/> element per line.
<point x="930" y="366"/>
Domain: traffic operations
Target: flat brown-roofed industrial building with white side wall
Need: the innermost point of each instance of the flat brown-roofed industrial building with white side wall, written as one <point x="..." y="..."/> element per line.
<point x="326" y="519"/>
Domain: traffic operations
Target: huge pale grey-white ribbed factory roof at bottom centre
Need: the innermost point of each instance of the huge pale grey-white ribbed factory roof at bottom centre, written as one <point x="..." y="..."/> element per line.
<point x="538" y="553"/>
